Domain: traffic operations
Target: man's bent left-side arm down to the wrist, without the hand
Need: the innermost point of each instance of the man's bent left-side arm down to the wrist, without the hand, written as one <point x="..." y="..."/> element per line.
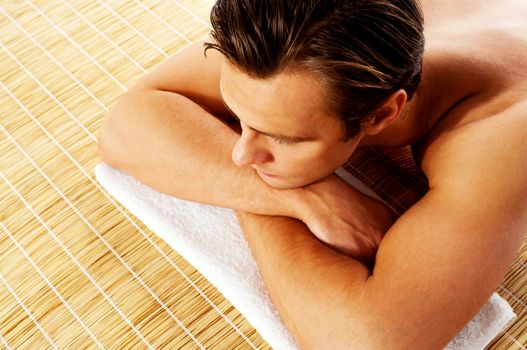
<point x="161" y="133"/>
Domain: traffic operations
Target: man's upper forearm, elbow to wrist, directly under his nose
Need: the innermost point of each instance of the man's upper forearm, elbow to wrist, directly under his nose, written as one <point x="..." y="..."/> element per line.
<point x="176" y="147"/>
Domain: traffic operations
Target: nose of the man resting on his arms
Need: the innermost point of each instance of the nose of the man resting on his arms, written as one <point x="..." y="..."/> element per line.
<point x="247" y="151"/>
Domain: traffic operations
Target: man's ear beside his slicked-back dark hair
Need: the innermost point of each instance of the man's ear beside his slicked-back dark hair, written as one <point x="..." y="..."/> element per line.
<point x="387" y="113"/>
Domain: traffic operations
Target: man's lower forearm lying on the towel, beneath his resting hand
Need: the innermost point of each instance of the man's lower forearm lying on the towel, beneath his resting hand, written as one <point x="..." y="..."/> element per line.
<point x="298" y="270"/>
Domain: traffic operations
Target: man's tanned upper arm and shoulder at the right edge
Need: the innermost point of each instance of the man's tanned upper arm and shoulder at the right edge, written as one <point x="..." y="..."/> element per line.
<point x="464" y="232"/>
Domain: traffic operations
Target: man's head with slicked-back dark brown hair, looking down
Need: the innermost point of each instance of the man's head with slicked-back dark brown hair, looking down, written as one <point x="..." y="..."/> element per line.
<point x="323" y="69"/>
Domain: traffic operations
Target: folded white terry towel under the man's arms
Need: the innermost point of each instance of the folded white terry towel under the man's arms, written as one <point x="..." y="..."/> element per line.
<point x="212" y="241"/>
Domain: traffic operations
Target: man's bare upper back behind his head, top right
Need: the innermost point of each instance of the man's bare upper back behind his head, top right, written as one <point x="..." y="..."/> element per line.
<point x="483" y="45"/>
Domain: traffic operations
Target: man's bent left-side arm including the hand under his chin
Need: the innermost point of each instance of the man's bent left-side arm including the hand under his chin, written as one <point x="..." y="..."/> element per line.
<point x="167" y="131"/>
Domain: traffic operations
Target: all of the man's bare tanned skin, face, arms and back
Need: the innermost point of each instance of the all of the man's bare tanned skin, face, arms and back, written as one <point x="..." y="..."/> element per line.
<point x="438" y="264"/>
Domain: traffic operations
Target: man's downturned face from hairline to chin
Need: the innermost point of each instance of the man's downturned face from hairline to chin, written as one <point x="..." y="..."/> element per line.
<point x="287" y="136"/>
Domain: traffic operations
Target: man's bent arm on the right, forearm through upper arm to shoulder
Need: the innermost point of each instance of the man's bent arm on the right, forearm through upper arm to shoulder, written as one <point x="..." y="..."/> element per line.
<point x="435" y="268"/>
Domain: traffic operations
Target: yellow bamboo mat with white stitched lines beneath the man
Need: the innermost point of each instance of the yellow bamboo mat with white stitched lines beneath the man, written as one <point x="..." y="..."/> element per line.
<point x="77" y="270"/>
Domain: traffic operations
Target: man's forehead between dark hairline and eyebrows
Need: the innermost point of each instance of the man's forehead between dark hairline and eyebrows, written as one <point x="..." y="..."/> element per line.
<point x="294" y="101"/>
